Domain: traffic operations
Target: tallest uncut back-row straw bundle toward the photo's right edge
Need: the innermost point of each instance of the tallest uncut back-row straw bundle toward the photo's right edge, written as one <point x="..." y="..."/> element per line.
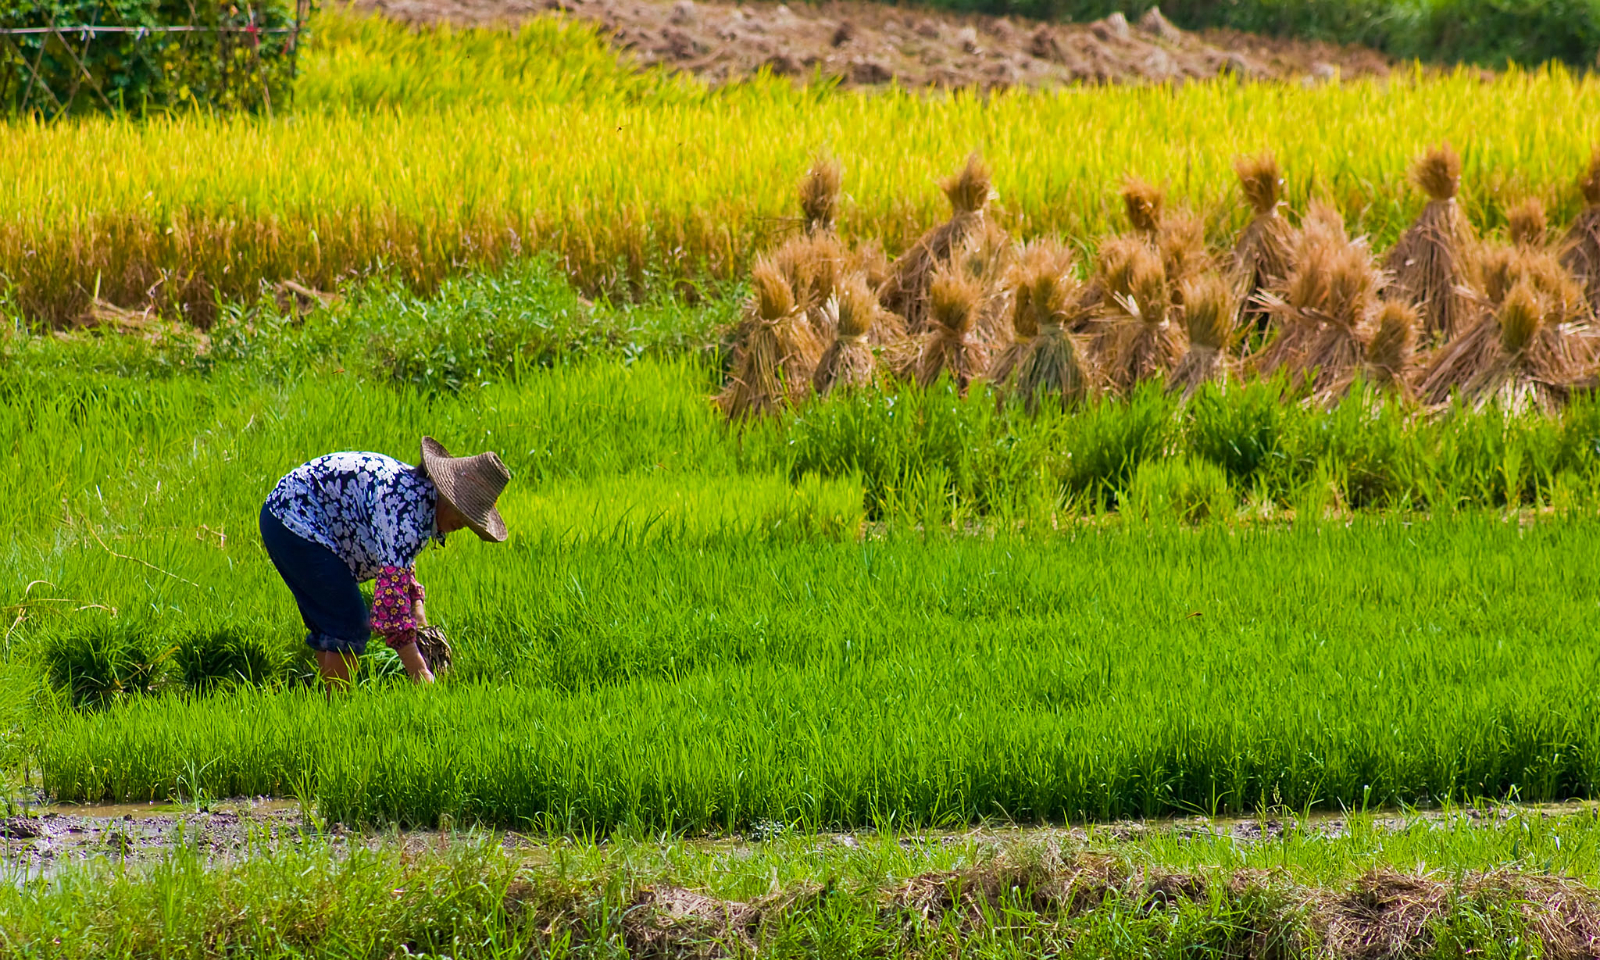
<point x="1430" y="263"/>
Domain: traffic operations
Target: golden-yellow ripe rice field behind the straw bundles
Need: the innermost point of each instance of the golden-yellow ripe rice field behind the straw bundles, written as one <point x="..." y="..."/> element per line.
<point x="423" y="154"/>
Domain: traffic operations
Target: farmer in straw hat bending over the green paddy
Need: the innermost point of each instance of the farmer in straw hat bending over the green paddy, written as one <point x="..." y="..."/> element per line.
<point x="353" y="518"/>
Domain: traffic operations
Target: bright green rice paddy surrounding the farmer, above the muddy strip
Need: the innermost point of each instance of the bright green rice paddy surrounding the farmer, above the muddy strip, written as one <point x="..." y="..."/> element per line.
<point x="692" y="631"/>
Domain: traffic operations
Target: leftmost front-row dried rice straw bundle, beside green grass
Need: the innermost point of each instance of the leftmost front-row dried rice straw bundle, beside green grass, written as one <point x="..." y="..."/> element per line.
<point x="777" y="350"/>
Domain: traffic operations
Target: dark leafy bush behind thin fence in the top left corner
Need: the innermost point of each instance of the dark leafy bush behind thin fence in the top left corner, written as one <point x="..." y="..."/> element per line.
<point x="247" y="66"/>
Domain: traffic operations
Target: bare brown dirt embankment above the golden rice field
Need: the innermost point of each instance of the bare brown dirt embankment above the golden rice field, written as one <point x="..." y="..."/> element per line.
<point x="874" y="44"/>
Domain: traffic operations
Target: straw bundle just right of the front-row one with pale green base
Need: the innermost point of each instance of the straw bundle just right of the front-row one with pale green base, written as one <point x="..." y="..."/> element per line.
<point x="1140" y="340"/>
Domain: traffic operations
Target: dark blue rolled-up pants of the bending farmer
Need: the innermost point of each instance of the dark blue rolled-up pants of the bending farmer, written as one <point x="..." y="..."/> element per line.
<point x="324" y="588"/>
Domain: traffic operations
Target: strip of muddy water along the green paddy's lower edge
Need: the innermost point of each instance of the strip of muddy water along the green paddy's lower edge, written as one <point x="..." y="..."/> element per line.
<point x="44" y="839"/>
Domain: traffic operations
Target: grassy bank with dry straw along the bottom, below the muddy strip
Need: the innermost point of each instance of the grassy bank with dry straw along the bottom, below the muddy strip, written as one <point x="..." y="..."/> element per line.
<point x="1449" y="886"/>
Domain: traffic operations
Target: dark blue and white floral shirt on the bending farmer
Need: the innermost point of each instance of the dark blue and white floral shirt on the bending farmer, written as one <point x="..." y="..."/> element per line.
<point x="370" y="510"/>
